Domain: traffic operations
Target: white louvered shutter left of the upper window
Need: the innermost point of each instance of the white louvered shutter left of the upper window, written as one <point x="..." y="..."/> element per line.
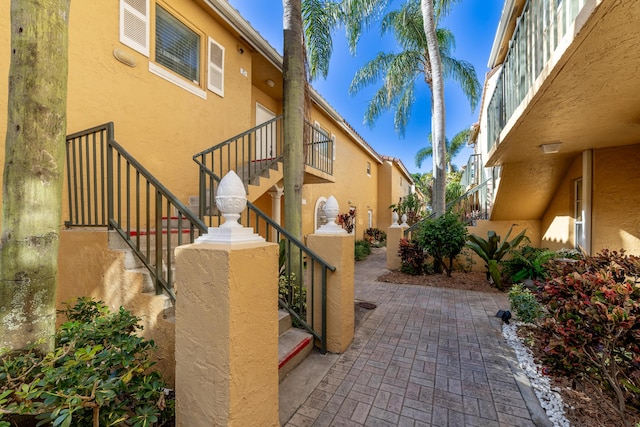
<point x="134" y="25"/>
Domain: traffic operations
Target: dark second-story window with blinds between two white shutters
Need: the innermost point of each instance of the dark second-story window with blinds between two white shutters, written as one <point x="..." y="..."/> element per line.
<point x="177" y="46"/>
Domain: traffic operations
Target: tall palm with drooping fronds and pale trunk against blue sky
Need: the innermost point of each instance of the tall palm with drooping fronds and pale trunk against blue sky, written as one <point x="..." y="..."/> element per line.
<point x="400" y="71"/>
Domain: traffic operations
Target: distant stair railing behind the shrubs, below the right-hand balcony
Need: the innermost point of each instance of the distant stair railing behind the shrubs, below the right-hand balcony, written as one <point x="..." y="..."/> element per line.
<point x="472" y="206"/>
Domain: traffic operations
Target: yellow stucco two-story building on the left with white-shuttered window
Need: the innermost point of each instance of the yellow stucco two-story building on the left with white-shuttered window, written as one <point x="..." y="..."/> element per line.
<point x="169" y="101"/>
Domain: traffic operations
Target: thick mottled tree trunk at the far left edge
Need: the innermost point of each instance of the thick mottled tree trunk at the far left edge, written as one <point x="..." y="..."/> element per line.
<point x="33" y="172"/>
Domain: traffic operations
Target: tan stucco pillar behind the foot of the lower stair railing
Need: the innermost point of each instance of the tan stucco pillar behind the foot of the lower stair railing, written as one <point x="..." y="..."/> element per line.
<point x="337" y="250"/>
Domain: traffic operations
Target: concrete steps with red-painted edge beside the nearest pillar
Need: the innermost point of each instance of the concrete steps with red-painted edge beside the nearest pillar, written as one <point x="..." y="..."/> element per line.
<point x="294" y="345"/>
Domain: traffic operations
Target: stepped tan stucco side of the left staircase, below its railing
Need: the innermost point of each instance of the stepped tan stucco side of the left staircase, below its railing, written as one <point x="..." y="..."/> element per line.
<point x="87" y="267"/>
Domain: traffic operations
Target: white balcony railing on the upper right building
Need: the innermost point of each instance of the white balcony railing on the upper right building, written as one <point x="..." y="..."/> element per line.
<point x="538" y="33"/>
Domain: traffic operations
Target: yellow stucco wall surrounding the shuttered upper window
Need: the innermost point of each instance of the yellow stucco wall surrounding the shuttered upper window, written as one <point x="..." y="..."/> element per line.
<point x="159" y="123"/>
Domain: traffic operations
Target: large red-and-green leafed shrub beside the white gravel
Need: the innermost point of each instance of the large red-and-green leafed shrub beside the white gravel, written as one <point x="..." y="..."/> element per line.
<point x="592" y="330"/>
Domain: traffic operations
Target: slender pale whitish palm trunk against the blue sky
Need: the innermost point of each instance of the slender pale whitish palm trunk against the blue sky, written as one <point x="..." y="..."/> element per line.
<point x="437" y="110"/>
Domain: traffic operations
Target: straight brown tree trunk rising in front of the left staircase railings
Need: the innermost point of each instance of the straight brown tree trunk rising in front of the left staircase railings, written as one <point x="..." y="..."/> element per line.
<point x="295" y="79"/>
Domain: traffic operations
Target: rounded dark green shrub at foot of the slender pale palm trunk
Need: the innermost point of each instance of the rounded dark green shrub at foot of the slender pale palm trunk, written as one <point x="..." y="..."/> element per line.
<point x="443" y="237"/>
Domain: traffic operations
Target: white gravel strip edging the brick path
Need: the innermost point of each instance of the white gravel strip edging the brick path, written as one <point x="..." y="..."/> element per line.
<point x="550" y="400"/>
